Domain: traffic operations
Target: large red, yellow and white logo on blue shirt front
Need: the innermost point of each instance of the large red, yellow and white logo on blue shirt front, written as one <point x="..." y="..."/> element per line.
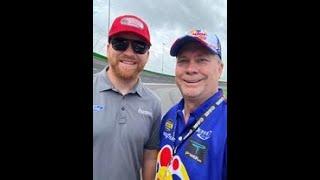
<point x="168" y="165"/>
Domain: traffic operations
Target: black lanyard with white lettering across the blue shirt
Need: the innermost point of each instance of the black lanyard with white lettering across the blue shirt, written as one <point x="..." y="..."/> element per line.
<point x="187" y="133"/>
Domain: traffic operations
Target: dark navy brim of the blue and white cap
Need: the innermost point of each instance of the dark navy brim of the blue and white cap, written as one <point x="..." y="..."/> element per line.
<point x="177" y="45"/>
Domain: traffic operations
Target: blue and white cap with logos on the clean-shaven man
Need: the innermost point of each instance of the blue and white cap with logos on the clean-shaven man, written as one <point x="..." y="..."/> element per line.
<point x="209" y="41"/>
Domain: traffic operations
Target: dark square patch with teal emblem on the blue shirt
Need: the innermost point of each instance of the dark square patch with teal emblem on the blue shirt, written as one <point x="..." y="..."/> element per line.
<point x="196" y="151"/>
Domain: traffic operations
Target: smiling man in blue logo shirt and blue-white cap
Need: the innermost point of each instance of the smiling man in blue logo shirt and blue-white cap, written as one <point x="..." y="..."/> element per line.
<point x="193" y="133"/>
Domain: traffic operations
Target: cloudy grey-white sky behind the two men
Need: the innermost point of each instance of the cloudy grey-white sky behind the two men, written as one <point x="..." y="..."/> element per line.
<point x="167" y="20"/>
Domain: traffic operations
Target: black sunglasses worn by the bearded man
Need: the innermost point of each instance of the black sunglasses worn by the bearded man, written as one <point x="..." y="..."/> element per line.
<point x="122" y="44"/>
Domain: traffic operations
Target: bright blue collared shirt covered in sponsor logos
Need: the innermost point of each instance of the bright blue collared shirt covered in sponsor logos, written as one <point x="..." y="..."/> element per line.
<point x="203" y="154"/>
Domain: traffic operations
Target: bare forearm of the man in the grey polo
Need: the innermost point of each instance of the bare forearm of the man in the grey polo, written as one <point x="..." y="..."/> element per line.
<point x="149" y="164"/>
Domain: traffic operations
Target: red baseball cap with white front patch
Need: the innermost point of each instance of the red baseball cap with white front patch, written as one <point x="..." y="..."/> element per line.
<point x="130" y="23"/>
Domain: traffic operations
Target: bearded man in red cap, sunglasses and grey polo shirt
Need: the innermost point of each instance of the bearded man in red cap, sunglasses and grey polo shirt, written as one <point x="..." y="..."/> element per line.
<point x="126" y="114"/>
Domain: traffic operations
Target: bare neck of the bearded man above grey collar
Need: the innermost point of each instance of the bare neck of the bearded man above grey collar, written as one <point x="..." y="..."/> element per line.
<point x="123" y="85"/>
